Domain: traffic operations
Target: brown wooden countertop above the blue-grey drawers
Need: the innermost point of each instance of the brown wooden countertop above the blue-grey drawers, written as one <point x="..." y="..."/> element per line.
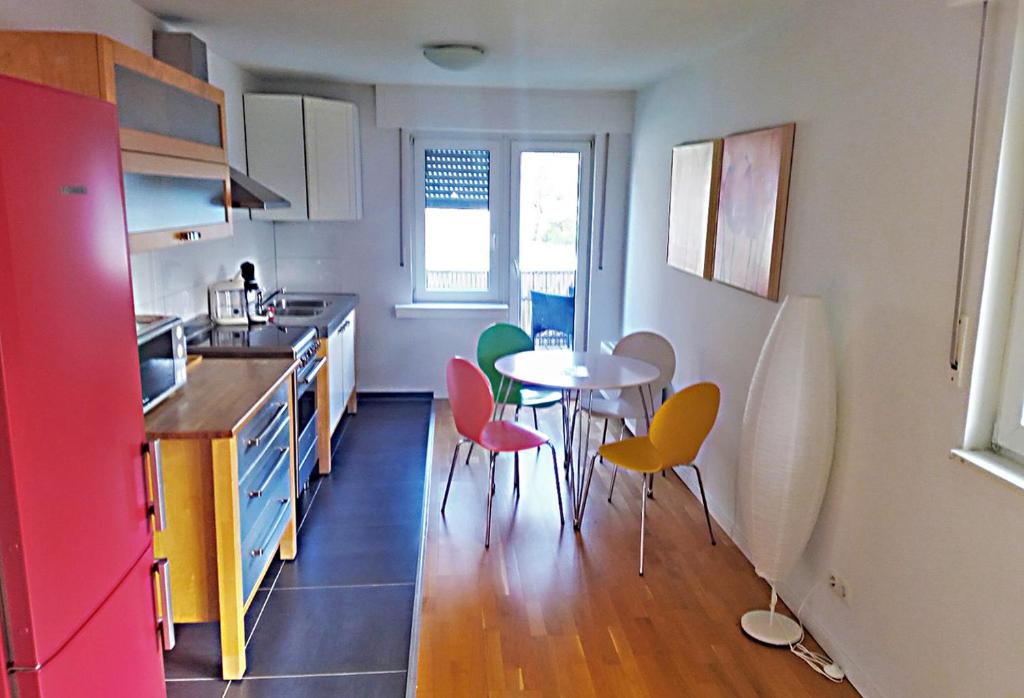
<point x="220" y="396"/>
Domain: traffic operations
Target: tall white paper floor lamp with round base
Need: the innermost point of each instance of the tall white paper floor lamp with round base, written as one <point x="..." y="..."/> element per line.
<point x="786" y="452"/>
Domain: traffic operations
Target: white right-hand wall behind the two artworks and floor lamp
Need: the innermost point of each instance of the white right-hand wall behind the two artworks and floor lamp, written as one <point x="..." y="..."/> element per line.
<point x="881" y="94"/>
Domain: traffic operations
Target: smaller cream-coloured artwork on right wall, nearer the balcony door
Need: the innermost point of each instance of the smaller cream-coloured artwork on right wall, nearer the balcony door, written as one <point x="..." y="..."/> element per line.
<point x="694" y="205"/>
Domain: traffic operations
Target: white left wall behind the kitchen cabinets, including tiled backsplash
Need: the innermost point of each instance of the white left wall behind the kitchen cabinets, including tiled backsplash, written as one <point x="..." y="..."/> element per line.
<point x="174" y="281"/>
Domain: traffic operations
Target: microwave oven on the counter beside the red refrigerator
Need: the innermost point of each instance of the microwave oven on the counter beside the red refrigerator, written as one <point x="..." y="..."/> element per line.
<point x="162" y="358"/>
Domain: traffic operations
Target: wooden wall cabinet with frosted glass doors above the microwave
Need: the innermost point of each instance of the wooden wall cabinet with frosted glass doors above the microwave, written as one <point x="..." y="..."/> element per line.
<point x="174" y="130"/>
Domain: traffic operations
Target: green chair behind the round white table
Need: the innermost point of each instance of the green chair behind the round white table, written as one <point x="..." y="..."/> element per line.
<point x="500" y="340"/>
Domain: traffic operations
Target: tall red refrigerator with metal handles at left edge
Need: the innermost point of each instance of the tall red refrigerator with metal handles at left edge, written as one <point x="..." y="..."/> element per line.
<point x="78" y="585"/>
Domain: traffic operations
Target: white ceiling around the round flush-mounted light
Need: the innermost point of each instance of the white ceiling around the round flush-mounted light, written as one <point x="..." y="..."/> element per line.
<point x="531" y="43"/>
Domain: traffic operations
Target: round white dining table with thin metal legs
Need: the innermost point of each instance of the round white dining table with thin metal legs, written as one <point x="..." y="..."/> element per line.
<point x="576" y="374"/>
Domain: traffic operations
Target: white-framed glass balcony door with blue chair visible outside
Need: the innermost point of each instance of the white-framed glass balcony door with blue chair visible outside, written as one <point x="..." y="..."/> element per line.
<point x="550" y="241"/>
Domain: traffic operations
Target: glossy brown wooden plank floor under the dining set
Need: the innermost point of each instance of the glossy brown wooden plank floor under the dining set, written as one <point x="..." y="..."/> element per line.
<point x="546" y="613"/>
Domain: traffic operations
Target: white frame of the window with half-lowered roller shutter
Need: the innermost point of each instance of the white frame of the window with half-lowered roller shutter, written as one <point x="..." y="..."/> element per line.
<point x="498" y="205"/>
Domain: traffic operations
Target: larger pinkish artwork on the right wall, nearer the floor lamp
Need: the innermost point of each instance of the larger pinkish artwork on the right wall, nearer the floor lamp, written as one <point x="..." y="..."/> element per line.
<point x="752" y="208"/>
